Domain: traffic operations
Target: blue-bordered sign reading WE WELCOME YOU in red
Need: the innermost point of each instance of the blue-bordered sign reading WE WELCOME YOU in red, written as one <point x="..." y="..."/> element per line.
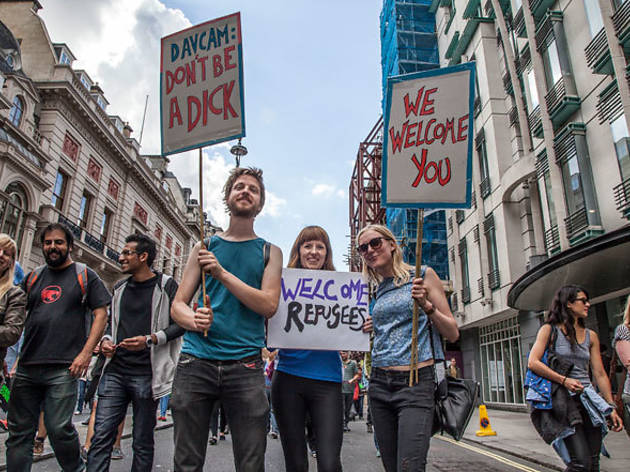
<point x="427" y="146"/>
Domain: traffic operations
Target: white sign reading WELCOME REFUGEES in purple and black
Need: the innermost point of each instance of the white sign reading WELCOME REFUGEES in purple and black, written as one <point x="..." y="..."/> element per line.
<point x="320" y="309"/>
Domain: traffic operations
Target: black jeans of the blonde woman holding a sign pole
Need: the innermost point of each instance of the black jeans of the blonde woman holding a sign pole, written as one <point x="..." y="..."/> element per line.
<point x="402" y="417"/>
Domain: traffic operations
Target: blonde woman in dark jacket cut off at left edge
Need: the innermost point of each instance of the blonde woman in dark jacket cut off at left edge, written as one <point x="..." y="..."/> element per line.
<point x="12" y="298"/>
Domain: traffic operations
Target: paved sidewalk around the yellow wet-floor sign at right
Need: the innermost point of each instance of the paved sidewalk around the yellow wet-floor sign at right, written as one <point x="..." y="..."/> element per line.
<point x="517" y="436"/>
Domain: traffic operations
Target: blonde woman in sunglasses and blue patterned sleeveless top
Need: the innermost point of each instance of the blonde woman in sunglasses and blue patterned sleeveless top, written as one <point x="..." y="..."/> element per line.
<point x="402" y="415"/>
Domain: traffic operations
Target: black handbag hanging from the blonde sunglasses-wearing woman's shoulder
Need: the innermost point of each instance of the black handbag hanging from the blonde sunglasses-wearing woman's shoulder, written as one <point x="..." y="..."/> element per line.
<point x="455" y="400"/>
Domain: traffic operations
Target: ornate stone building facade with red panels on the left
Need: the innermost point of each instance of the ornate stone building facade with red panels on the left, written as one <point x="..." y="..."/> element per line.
<point x="64" y="158"/>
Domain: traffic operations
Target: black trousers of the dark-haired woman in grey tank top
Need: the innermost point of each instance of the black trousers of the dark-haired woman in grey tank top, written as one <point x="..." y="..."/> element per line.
<point x="585" y="445"/>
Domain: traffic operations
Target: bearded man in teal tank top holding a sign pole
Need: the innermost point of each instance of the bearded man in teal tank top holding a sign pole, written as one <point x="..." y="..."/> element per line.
<point x="221" y="355"/>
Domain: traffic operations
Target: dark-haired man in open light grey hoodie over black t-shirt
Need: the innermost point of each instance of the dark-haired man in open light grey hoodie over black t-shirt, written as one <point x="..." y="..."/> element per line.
<point x="142" y="345"/>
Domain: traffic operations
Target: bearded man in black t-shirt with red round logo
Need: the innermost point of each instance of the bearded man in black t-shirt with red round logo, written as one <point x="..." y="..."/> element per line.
<point x="55" y="351"/>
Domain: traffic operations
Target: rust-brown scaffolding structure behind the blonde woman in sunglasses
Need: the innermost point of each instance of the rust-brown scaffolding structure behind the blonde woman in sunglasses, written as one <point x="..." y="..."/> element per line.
<point x="365" y="190"/>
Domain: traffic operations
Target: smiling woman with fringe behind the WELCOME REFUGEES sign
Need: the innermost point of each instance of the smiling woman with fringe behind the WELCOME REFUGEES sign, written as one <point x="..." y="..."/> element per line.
<point x="307" y="381"/>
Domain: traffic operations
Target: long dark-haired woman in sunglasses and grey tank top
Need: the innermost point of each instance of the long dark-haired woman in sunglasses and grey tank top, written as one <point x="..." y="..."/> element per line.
<point x="574" y="343"/>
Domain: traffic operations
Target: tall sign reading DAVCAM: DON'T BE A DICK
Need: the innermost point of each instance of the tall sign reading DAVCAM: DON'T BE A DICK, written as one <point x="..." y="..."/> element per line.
<point x="201" y="85"/>
